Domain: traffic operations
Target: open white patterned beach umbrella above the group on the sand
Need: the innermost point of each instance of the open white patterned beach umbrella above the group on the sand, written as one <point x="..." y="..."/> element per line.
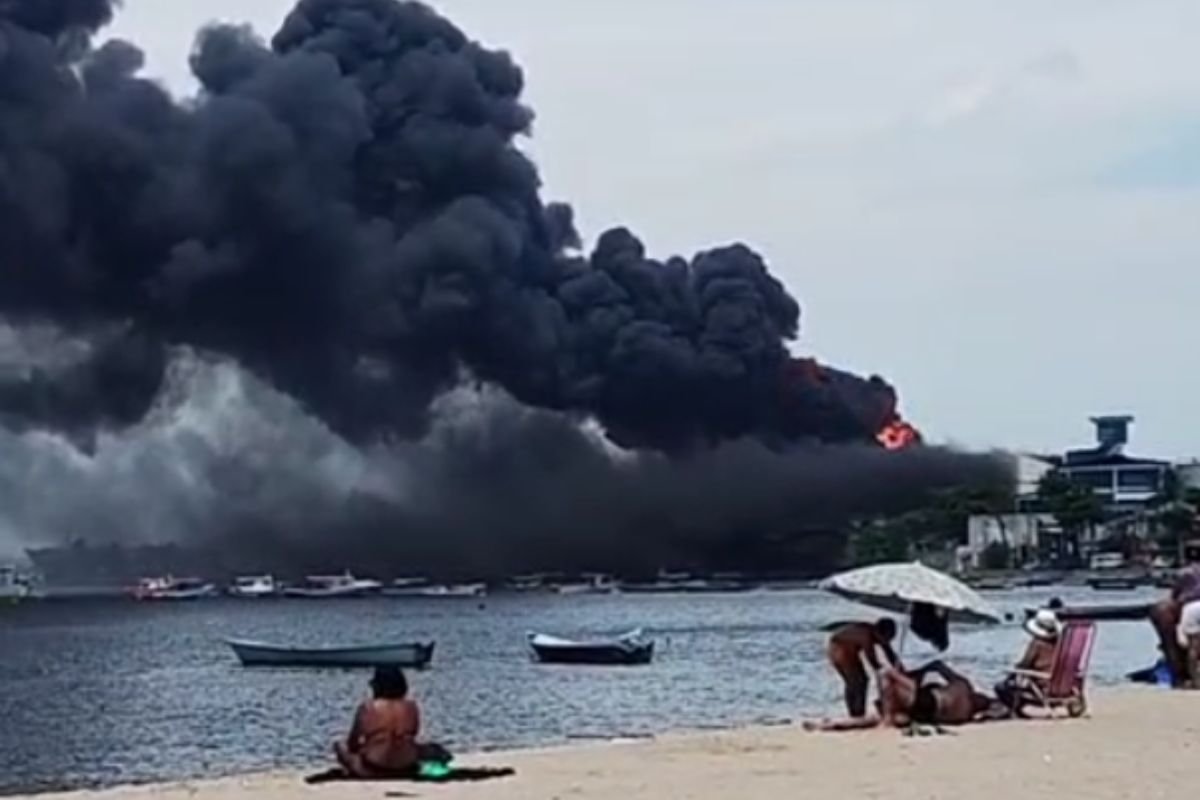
<point x="899" y="587"/>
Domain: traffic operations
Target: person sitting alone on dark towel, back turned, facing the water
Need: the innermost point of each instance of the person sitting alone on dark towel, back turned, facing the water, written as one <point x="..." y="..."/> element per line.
<point x="383" y="738"/>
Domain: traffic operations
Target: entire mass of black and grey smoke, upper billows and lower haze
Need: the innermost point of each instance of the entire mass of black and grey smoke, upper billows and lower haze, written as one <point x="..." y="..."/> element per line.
<point x="322" y="308"/>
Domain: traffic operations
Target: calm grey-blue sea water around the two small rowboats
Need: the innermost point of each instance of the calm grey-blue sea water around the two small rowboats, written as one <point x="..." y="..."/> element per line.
<point x="113" y="693"/>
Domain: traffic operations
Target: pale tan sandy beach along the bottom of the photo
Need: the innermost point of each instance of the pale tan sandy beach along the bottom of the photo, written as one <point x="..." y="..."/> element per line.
<point x="1137" y="744"/>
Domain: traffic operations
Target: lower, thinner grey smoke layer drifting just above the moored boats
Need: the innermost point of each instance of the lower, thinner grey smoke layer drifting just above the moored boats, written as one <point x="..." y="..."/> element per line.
<point x="238" y="472"/>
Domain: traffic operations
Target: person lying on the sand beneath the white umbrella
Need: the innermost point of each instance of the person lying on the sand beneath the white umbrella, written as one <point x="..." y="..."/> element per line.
<point x="910" y="700"/>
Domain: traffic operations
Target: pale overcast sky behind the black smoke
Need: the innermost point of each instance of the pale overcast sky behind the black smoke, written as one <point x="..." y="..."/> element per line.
<point x="994" y="204"/>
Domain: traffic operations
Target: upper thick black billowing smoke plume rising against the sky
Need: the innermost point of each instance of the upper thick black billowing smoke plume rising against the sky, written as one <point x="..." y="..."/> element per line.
<point x="346" y="214"/>
